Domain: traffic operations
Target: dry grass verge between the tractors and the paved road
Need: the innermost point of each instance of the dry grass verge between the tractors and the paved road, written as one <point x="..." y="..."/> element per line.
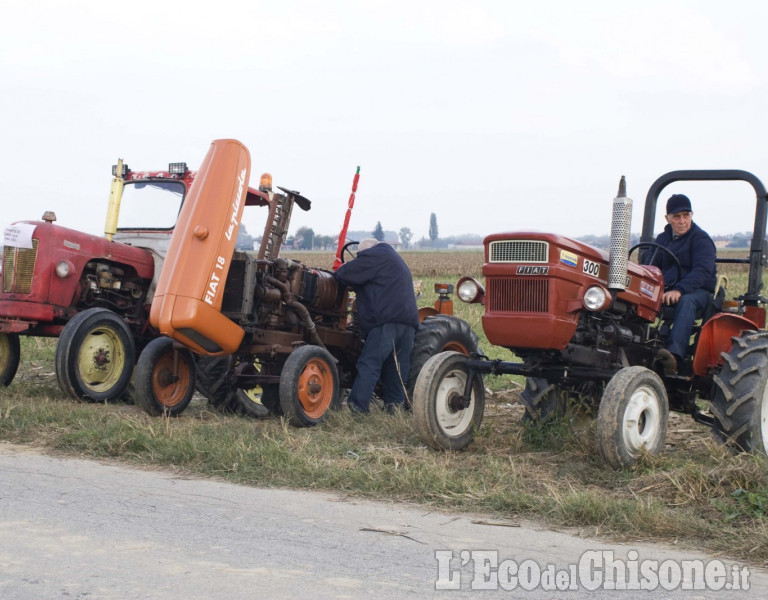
<point x="696" y="493"/>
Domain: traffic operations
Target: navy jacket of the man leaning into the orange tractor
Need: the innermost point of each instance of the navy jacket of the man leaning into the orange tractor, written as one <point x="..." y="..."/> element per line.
<point x="383" y="286"/>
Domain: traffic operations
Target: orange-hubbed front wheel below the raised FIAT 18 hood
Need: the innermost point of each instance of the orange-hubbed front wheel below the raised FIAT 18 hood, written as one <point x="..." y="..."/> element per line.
<point x="165" y="378"/>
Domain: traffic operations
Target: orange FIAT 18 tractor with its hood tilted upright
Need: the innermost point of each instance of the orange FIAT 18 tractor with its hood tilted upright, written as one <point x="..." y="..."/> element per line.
<point x="251" y="331"/>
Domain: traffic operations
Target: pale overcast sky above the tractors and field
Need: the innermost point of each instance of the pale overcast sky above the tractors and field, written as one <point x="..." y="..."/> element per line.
<point x="496" y="116"/>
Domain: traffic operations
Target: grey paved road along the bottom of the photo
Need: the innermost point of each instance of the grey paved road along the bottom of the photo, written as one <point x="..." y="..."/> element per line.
<point x="85" y="529"/>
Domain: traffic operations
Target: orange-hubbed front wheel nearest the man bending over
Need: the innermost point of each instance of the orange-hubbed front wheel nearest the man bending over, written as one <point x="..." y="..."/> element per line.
<point x="309" y="386"/>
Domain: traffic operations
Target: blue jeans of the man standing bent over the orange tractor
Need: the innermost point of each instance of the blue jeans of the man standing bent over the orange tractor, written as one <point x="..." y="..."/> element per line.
<point x="386" y="356"/>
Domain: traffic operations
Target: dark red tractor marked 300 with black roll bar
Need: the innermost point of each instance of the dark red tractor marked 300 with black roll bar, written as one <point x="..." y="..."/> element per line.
<point x="587" y="324"/>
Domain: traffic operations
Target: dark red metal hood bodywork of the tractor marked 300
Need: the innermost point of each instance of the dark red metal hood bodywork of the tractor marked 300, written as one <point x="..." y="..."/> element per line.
<point x="537" y="304"/>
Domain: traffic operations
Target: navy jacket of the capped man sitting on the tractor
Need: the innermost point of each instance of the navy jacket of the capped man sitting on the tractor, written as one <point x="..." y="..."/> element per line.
<point x="696" y="252"/>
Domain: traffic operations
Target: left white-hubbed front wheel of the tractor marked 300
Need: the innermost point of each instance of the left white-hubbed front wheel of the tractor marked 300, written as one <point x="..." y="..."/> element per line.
<point x="442" y="420"/>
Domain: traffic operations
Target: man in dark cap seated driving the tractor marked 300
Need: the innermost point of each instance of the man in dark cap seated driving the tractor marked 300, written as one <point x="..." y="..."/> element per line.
<point x="696" y="284"/>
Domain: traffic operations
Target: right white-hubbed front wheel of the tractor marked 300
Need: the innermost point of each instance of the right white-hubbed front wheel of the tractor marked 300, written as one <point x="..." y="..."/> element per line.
<point x="632" y="416"/>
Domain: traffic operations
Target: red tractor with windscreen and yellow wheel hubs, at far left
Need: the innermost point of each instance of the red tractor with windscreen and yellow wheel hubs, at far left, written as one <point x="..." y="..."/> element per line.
<point x="92" y="292"/>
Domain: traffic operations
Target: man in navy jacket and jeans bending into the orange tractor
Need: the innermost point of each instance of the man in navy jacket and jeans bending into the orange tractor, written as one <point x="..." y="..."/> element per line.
<point x="388" y="318"/>
